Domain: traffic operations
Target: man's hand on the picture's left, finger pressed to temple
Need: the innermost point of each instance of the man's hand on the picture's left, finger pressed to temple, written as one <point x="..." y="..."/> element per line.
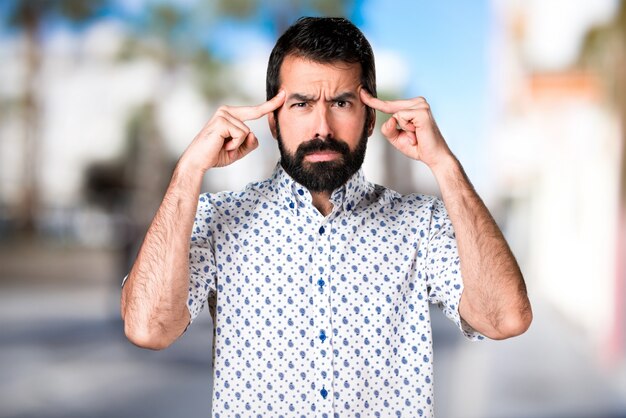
<point x="226" y="138"/>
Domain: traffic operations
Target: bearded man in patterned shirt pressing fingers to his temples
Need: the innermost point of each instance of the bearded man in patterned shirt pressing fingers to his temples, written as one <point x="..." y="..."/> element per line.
<point x="322" y="280"/>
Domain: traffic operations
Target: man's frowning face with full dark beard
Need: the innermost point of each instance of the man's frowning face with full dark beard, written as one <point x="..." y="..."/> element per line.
<point x="321" y="128"/>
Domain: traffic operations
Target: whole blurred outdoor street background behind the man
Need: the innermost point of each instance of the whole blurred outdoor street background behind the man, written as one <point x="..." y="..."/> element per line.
<point x="98" y="98"/>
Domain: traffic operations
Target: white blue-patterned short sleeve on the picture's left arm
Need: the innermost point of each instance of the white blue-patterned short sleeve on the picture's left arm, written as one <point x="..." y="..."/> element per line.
<point x="202" y="266"/>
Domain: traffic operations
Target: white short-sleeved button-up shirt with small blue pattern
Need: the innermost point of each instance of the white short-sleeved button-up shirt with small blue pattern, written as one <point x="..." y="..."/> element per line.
<point x="323" y="316"/>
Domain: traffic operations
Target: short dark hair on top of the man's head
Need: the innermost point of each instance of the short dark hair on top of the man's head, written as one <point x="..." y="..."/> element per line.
<point x="323" y="40"/>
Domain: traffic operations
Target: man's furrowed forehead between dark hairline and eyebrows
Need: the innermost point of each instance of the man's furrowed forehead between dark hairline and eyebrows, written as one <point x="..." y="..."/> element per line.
<point x="299" y="74"/>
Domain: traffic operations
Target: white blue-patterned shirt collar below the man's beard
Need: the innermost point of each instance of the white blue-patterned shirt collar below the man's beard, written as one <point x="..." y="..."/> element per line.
<point x="294" y="196"/>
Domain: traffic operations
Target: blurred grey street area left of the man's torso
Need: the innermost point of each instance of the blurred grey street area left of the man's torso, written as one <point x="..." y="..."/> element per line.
<point x="63" y="352"/>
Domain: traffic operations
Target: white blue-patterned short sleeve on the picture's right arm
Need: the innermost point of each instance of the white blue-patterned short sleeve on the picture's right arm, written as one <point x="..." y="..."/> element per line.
<point x="443" y="269"/>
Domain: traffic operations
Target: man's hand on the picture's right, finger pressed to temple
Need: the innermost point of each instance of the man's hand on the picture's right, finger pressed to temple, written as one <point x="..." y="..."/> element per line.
<point x="411" y="128"/>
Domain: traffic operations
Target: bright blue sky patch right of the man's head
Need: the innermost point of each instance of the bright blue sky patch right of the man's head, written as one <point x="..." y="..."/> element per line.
<point x="445" y="47"/>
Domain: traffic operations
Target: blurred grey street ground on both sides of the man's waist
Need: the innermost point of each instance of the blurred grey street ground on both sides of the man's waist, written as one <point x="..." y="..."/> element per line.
<point x="63" y="354"/>
